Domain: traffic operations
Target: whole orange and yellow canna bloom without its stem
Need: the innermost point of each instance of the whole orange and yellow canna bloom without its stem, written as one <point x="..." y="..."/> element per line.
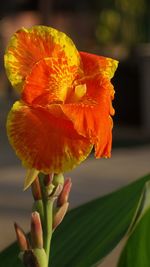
<point x="65" y="104"/>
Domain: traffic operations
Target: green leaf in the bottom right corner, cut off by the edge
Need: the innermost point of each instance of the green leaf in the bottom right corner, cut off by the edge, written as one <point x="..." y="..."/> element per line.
<point x="136" y="252"/>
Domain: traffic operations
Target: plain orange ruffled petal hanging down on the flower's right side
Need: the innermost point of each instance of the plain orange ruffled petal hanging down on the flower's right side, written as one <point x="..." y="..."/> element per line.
<point x="91" y="117"/>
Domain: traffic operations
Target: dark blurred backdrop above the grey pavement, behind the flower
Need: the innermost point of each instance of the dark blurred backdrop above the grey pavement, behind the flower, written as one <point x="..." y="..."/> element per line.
<point x="119" y="29"/>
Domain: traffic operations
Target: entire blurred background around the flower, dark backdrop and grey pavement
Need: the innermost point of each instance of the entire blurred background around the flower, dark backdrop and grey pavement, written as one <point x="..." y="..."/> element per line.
<point x="114" y="28"/>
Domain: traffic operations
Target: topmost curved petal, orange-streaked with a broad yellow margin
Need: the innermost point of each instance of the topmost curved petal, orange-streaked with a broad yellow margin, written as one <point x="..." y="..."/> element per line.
<point x="28" y="46"/>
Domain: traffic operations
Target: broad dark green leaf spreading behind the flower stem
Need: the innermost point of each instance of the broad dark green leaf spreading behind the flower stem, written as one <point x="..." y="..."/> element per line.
<point x="90" y="231"/>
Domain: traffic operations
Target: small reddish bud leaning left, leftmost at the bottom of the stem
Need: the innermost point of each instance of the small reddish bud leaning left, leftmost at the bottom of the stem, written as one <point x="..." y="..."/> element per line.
<point x="22" y="241"/>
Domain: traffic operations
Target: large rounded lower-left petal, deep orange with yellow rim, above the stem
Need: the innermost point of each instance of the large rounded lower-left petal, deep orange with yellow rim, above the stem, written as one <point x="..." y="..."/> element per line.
<point x="44" y="139"/>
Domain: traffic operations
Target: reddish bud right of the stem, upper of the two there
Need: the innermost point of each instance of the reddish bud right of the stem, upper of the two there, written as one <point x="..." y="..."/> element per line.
<point x="63" y="198"/>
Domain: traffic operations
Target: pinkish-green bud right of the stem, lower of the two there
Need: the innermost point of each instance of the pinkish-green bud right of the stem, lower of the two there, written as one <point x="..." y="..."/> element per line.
<point x="59" y="215"/>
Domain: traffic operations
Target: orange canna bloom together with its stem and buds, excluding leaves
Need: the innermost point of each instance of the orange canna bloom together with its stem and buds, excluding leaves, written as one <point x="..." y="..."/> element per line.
<point x="64" y="109"/>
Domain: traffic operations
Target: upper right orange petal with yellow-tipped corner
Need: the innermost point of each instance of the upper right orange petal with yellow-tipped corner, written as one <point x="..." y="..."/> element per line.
<point x="94" y="64"/>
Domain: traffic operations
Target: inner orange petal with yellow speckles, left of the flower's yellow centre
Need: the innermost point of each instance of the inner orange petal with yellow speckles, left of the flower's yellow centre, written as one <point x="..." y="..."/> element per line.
<point x="50" y="81"/>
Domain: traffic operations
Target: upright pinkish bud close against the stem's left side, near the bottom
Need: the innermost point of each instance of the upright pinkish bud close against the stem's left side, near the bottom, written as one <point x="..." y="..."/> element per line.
<point x="36" y="231"/>
